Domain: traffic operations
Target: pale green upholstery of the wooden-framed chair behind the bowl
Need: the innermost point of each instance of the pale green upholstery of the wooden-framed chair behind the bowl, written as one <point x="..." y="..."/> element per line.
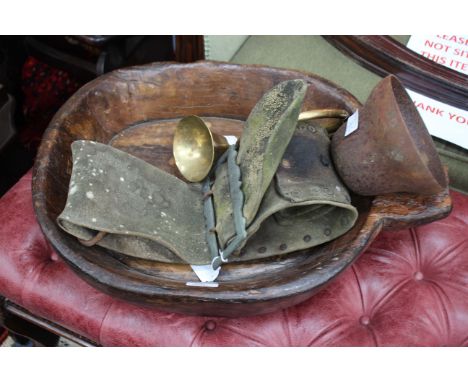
<point x="315" y="55"/>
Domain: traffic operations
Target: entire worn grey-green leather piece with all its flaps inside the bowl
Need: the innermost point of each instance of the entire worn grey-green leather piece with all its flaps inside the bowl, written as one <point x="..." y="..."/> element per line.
<point x="150" y="214"/>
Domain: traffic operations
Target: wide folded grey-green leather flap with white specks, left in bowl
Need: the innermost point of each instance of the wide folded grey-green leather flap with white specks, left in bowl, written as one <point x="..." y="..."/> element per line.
<point x="144" y="210"/>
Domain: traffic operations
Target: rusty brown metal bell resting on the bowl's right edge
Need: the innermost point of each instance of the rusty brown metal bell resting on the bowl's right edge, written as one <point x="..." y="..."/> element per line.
<point x="388" y="148"/>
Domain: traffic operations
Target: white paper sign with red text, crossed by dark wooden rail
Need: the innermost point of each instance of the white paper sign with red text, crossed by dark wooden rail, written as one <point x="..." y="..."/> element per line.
<point x="442" y="120"/>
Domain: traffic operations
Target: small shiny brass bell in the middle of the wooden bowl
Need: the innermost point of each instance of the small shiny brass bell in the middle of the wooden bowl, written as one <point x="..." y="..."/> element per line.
<point x="196" y="148"/>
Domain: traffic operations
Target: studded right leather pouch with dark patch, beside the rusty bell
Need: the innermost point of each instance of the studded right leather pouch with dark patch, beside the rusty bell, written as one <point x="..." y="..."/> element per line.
<point x="306" y="204"/>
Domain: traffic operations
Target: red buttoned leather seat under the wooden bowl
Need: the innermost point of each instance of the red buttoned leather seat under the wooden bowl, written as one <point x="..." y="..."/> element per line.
<point x="410" y="288"/>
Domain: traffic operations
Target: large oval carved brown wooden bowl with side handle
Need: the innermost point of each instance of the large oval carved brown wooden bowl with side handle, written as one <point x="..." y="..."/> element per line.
<point x="136" y="110"/>
